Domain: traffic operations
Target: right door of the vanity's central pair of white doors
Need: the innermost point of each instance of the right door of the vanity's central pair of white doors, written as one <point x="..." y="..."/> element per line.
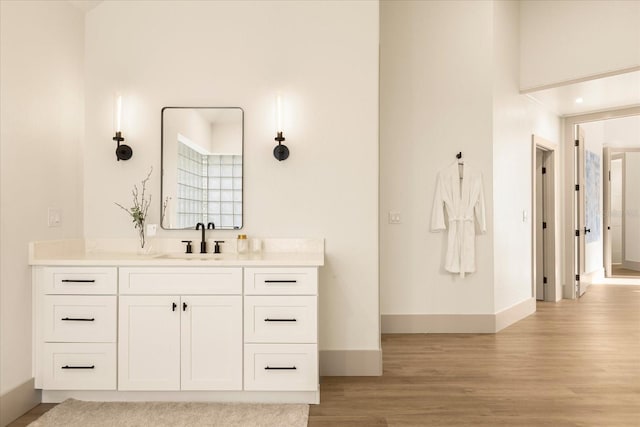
<point x="211" y="342"/>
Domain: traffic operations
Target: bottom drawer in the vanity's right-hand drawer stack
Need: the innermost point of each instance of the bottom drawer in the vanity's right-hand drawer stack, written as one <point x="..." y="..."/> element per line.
<point x="281" y="367"/>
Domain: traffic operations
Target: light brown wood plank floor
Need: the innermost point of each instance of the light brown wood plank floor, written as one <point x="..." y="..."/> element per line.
<point x="572" y="363"/>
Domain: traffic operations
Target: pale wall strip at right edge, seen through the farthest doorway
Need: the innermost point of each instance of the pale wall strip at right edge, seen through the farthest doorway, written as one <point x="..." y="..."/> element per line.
<point x="632" y="210"/>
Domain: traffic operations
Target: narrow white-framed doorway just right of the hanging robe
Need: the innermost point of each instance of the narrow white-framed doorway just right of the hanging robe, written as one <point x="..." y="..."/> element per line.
<point x="544" y="221"/>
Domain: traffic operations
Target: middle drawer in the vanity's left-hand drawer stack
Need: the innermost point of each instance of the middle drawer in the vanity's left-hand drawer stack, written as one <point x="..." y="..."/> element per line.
<point x="70" y="318"/>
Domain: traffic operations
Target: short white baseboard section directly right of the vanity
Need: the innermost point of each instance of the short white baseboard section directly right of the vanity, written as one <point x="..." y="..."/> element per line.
<point x="357" y="363"/>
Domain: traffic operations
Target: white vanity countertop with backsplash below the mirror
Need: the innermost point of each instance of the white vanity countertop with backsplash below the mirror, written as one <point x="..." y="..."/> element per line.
<point x="278" y="252"/>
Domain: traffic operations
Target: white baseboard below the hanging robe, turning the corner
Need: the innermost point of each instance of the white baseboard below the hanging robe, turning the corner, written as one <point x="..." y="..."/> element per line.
<point x="457" y="323"/>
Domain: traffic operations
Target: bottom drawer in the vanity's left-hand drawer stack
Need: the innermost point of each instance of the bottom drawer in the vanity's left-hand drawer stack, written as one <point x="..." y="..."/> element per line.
<point x="79" y="367"/>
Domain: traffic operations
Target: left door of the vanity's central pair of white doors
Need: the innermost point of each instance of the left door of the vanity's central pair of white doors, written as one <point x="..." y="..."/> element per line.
<point x="149" y="343"/>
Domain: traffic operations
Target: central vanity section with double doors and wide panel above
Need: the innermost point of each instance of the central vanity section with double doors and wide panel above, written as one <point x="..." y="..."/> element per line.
<point x="180" y="341"/>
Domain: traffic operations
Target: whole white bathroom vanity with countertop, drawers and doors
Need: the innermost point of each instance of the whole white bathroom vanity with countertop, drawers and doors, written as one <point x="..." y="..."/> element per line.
<point x="177" y="328"/>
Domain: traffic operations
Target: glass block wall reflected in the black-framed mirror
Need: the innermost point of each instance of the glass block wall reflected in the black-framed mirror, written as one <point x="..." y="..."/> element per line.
<point x="209" y="189"/>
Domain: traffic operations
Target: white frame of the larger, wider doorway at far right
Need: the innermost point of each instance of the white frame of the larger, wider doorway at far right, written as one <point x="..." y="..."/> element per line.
<point x="569" y="206"/>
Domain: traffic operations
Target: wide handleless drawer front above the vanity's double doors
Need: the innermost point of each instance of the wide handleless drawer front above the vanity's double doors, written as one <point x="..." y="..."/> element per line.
<point x="177" y="281"/>
